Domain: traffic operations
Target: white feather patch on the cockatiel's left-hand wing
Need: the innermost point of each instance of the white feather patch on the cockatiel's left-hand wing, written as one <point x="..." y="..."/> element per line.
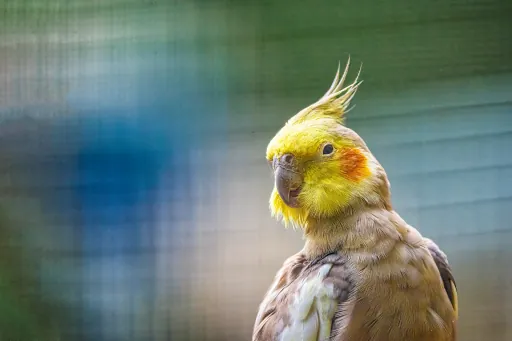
<point x="312" y="310"/>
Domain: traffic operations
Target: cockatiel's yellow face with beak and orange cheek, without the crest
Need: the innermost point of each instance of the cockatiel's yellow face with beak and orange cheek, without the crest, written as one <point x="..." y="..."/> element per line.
<point x="319" y="169"/>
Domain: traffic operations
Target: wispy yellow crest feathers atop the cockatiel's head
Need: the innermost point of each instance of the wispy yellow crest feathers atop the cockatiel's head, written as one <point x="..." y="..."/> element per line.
<point x="334" y="103"/>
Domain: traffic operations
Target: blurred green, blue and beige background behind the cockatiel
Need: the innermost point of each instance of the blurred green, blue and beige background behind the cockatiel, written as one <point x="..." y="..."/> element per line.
<point x="133" y="185"/>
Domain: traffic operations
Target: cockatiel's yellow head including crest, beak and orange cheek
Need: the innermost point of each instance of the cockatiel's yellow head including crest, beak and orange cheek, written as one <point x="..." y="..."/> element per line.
<point x="322" y="168"/>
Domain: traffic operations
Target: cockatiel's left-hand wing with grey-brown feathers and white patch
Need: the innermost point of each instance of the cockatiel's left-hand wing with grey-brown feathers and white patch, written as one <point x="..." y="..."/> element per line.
<point x="308" y="301"/>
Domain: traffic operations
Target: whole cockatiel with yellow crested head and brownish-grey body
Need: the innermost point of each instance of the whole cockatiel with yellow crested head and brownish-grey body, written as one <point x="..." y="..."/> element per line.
<point x="364" y="274"/>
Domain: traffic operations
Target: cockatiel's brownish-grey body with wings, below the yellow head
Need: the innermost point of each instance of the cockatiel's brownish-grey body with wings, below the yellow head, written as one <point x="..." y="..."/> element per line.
<point x="395" y="287"/>
